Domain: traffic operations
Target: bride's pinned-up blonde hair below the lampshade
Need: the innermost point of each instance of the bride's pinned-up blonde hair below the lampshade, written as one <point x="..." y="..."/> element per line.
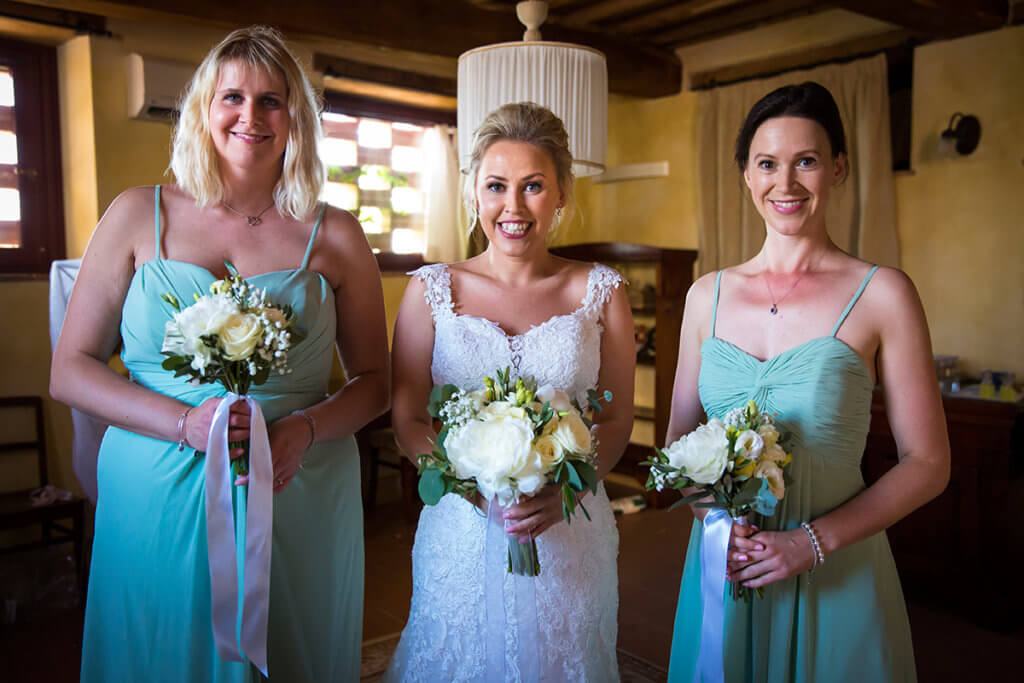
<point x="524" y="122"/>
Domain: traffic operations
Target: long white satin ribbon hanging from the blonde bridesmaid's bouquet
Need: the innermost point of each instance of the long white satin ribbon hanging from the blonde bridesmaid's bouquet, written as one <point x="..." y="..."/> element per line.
<point x="223" y="544"/>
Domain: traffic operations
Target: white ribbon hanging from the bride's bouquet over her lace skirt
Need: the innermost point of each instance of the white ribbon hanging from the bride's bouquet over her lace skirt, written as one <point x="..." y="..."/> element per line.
<point x="496" y="564"/>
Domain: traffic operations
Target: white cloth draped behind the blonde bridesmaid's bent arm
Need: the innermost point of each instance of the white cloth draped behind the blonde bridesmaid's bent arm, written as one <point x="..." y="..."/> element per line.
<point x="89" y="431"/>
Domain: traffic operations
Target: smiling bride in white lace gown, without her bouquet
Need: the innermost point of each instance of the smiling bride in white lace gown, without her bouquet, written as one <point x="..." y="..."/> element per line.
<point x="564" y="323"/>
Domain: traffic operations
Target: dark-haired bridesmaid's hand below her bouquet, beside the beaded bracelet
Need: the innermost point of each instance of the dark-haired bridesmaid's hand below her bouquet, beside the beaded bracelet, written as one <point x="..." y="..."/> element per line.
<point x="784" y="554"/>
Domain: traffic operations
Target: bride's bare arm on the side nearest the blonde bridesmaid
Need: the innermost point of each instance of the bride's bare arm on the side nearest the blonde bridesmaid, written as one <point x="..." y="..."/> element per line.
<point x="414" y="347"/>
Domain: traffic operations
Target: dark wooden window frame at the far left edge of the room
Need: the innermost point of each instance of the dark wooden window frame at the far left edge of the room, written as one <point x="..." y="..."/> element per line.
<point x="37" y="123"/>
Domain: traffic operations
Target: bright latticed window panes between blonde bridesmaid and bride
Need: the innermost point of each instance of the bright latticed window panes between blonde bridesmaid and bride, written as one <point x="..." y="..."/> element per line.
<point x="375" y="170"/>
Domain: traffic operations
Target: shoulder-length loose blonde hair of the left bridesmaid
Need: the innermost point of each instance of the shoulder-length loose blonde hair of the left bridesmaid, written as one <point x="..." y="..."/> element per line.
<point x="194" y="158"/>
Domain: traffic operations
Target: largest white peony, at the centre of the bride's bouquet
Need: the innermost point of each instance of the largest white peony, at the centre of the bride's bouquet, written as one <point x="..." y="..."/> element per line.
<point x="496" y="452"/>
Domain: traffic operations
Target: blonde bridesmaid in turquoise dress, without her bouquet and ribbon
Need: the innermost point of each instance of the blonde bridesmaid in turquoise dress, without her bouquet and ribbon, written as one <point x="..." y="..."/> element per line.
<point x="248" y="183"/>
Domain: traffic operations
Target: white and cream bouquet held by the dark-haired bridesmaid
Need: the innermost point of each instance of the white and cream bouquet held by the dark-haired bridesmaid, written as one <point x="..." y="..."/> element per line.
<point x="739" y="463"/>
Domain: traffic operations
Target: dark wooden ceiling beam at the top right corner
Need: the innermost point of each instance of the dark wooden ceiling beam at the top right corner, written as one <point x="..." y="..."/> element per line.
<point x="937" y="19"/>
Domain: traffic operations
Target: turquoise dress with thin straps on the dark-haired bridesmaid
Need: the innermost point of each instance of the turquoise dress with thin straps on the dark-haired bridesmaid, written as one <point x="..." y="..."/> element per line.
<point x="847" y="622"/>
